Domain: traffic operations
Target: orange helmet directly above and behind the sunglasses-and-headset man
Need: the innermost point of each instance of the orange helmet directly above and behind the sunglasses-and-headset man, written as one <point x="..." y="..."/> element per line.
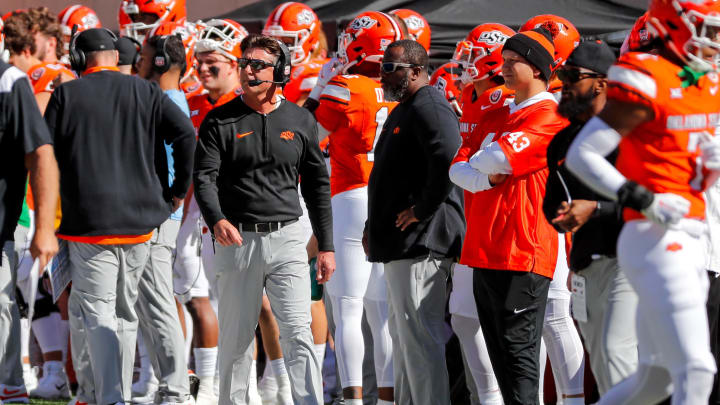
<point x="300" y="24"/>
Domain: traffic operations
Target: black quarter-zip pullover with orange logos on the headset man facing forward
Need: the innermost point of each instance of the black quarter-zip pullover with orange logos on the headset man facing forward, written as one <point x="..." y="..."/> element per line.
<point x="247" y="167"/>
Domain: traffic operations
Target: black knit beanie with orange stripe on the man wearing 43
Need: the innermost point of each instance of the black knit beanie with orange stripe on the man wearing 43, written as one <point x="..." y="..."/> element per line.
<point x="536" y="46"/>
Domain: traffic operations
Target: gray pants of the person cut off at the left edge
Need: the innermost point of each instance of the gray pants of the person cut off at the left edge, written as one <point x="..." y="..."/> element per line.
<point x="10" y="364"/>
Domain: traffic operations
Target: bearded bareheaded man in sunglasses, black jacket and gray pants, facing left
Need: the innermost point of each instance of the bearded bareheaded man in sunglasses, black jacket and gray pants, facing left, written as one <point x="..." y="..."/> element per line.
<point x="415" y="221"/>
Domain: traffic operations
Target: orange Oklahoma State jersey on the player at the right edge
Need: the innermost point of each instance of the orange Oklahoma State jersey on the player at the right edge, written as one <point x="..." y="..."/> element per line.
<point x="663" y="154"/>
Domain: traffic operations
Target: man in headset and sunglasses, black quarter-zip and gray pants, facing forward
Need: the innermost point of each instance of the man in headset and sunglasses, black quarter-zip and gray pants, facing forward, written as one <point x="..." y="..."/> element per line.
<point x="252" y="152"/>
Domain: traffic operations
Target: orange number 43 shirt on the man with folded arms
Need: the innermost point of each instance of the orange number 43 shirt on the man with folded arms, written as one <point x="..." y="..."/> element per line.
<point x="506" y="229"/>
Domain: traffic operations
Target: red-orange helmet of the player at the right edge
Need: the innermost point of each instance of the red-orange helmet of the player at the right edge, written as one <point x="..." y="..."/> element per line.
<point x="686" y="28"/>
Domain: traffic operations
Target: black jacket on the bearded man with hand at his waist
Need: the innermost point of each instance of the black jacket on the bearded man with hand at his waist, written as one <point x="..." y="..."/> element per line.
<point x="412" y="158"/>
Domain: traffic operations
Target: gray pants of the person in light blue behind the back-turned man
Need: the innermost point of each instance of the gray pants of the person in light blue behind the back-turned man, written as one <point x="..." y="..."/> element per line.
<point x="158" y="317"/>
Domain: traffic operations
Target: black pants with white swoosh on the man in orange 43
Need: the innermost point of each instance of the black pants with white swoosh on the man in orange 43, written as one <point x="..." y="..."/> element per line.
<point x="511" y="309"/>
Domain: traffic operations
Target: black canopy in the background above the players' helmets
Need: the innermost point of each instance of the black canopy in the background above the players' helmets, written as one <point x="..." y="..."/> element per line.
<point x="451" y="20"/>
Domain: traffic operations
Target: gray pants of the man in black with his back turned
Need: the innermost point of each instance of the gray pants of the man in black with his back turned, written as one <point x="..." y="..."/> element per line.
<point x="103" y="323"/>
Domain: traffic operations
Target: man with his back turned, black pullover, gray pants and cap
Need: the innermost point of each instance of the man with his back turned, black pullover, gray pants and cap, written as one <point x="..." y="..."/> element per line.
<point x="110" y="132"/>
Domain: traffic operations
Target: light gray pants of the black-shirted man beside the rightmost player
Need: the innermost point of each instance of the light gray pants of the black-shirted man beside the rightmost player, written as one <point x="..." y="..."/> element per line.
<point x="609" y="333"/>
